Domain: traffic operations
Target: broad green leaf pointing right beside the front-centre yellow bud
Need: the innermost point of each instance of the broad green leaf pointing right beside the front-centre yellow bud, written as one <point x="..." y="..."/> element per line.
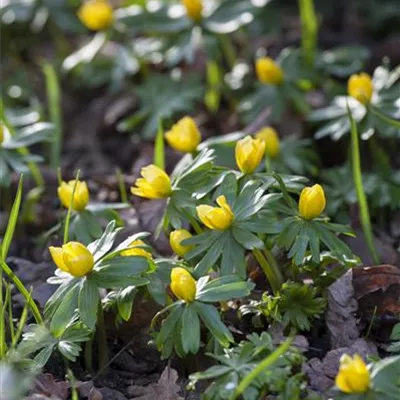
<point x="223" y="289"/>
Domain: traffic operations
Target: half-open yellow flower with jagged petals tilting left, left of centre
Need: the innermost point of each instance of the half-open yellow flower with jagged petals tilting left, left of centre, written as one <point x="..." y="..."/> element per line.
<point x="155" y="183"/>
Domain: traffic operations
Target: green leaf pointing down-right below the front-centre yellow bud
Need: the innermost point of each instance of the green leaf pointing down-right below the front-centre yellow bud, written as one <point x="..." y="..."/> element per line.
<point x="211" y="319"/>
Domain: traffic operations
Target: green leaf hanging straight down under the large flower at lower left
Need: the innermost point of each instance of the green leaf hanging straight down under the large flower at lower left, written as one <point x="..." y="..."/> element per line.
<point x="88" y="302"/>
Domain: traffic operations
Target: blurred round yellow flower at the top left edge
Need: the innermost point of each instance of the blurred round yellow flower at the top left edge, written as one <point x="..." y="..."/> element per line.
<point x="96" y="14"/>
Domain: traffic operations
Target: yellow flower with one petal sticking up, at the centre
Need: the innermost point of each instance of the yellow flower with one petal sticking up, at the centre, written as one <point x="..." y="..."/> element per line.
<point x="219" y="218"/>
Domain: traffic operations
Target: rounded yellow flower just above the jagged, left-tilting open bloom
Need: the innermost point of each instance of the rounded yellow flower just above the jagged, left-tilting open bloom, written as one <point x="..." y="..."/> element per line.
<point x="184" y="136"/>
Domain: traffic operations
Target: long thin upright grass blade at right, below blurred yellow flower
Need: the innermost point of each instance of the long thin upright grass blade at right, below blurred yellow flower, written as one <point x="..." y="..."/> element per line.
<point x="358" y="183"/>
